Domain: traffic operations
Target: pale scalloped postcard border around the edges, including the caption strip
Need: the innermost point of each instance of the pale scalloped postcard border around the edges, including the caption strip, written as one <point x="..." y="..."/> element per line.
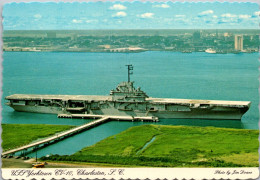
<point x="124" y="173"/>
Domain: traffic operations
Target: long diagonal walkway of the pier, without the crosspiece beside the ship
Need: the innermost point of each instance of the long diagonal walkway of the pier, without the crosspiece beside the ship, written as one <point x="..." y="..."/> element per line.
<point x="58" y="136"/>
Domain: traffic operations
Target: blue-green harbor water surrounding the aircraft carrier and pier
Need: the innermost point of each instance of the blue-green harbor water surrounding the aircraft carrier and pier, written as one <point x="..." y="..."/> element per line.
<point x="159" y="74"/>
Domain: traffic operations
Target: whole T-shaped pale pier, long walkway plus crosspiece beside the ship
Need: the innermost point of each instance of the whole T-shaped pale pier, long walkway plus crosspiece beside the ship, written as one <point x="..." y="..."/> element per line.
<point x="68" y="133"/>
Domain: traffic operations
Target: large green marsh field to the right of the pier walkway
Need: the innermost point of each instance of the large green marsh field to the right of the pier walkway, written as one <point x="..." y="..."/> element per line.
<point x="174" y="146"/>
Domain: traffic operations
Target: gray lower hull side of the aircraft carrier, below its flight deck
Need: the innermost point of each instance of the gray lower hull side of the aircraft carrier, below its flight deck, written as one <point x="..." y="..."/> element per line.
<point x="193" y="114"/>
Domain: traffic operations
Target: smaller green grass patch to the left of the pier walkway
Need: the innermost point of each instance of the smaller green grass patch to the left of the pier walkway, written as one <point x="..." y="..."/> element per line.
<point x="15" y="135"/>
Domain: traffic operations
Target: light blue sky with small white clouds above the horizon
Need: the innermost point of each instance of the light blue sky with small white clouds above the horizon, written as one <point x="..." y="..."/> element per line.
<point x="130" y="15"/>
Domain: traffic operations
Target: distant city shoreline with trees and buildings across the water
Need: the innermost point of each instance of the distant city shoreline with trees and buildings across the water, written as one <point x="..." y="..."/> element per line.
<point x="132" y="41"/>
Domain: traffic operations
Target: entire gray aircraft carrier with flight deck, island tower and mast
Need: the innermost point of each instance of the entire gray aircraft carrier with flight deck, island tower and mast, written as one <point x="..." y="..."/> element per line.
<point x="126" y="100"/>
